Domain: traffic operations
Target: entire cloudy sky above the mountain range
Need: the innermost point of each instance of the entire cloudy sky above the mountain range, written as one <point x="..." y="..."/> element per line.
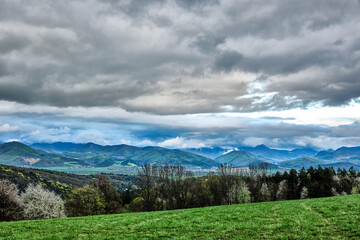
<point x="181" y="73"/>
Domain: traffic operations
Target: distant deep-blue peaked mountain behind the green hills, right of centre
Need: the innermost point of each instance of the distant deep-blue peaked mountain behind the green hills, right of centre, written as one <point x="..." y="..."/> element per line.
<point x="277" y="155"/>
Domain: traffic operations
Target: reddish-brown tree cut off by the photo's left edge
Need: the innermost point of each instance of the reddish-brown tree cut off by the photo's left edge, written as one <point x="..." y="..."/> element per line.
<point x="11" y="206"/>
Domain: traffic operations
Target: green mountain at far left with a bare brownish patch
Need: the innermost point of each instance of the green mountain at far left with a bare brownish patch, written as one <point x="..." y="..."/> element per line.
<point x="18" y="154"/>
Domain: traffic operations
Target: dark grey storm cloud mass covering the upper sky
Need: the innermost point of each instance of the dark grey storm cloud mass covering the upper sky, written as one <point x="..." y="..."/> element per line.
<point x="139" y="55"/>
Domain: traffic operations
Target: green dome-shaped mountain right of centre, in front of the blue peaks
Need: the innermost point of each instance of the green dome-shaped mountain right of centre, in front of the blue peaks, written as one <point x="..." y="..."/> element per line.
<point x="239" y="159"/>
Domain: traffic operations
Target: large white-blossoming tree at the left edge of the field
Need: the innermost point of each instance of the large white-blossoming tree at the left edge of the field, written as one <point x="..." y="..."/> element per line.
<point x="40" y="203"/>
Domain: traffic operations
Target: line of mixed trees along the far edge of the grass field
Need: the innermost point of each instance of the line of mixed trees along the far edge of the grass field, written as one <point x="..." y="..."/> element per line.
<point x="173" y="187"/>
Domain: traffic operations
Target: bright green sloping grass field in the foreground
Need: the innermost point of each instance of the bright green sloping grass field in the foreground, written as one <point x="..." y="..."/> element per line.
<point x="326" y="218"/>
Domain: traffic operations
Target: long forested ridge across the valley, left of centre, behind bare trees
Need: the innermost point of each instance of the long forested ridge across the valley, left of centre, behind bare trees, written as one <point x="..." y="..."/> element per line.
<point x="101" y="156"/>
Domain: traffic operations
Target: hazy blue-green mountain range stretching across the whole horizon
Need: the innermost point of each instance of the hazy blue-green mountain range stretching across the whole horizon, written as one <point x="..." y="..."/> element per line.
<point x="94" y="155"/>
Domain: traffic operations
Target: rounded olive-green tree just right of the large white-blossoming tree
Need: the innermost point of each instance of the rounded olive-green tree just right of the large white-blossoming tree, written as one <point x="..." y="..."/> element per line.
<point x="84" y="201"/>
